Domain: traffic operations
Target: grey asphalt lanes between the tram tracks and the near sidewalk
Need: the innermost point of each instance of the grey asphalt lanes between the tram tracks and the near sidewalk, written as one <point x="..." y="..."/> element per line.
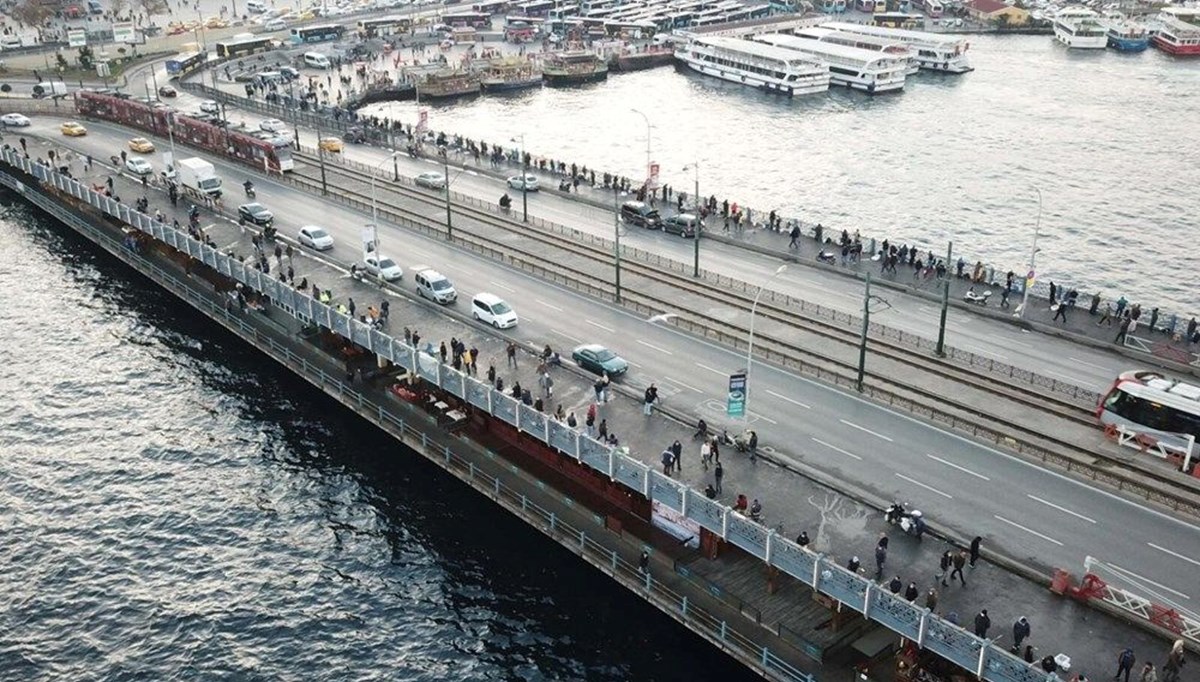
<point x="1022" y="510"/>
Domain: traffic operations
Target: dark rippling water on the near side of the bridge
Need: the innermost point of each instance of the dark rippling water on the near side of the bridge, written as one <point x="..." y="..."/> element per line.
<point x="178" y="507"/>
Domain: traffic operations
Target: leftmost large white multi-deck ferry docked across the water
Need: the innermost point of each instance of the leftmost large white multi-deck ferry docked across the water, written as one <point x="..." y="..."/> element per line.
<point x="764" y="67"/>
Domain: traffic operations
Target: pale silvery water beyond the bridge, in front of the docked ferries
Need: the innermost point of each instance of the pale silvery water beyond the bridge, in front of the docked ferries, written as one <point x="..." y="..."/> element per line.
<point x="1107" y="137"/>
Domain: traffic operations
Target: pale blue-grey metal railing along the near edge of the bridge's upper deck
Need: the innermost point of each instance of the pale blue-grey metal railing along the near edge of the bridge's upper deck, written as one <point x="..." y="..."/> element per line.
<point x="921" y="626"/>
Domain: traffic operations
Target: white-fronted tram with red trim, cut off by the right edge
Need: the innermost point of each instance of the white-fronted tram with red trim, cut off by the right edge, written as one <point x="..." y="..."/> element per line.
<point x="1154" y="405"/>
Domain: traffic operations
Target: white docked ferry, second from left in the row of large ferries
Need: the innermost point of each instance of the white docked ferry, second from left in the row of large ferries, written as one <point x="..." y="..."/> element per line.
<point x="872" y="73"/>
